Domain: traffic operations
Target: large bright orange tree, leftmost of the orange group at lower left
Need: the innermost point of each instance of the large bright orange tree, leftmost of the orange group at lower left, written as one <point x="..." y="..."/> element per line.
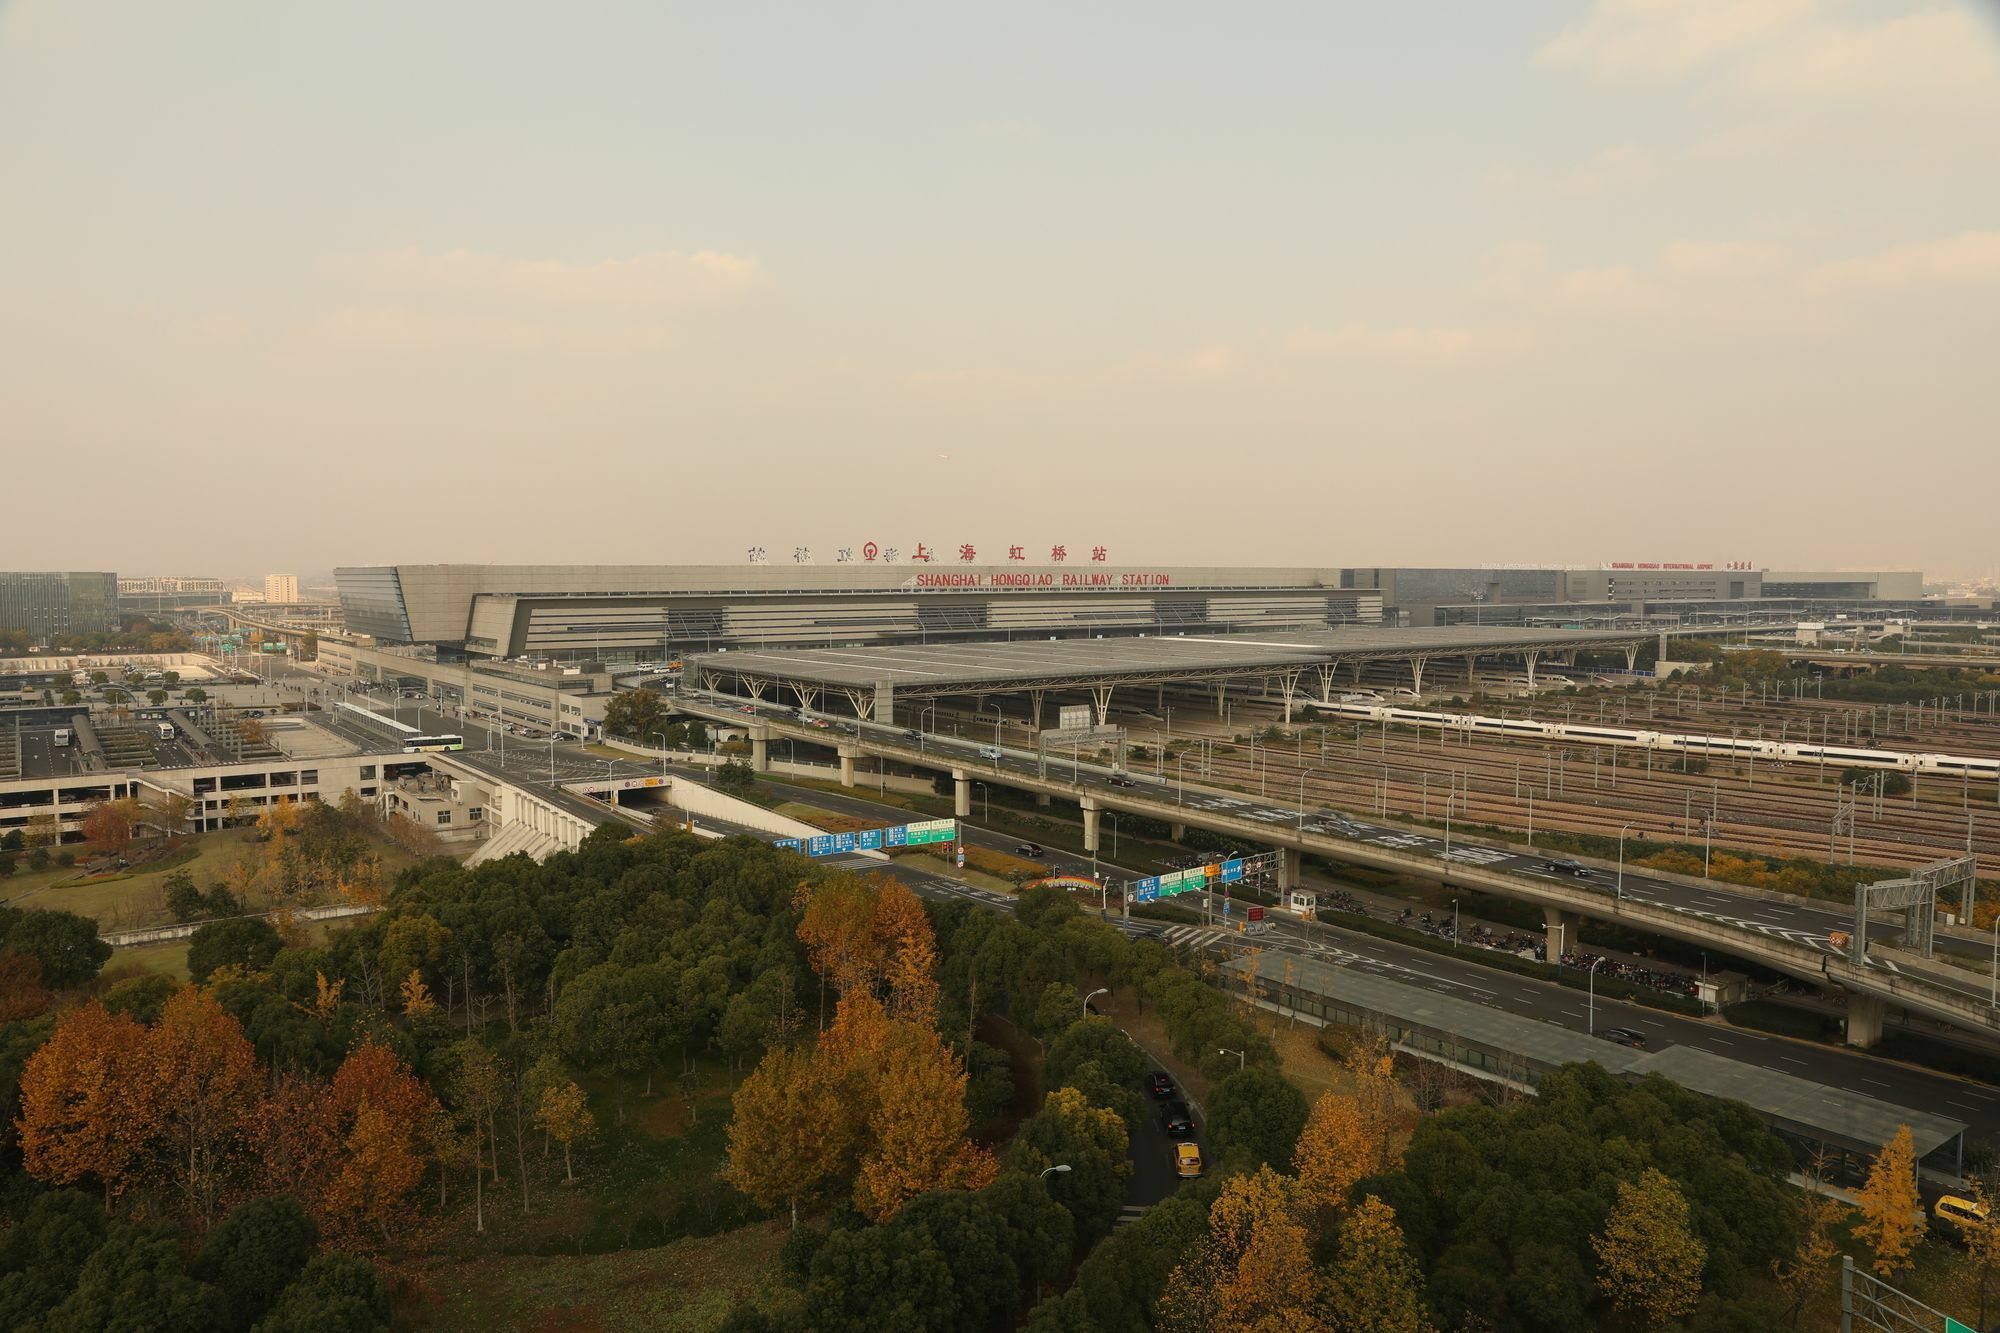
<point x="83" y="1106"/>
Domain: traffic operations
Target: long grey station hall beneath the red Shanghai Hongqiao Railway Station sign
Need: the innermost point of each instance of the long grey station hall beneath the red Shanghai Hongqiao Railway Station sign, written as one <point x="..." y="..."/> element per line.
<point x="627" y="613"/>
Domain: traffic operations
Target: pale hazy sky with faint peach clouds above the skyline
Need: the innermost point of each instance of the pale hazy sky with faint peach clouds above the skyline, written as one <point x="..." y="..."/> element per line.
<point x="293" y="285"/>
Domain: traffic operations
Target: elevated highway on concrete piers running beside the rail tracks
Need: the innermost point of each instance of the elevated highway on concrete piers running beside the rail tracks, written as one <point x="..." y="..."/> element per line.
<point x="1773" y="930"/>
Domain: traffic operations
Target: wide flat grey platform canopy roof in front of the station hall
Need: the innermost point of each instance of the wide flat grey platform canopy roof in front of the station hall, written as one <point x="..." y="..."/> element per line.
<point x="1035" y="663"/>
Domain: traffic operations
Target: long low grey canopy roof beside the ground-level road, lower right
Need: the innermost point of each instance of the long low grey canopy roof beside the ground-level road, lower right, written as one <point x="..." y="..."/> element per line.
<point x="1805" y="1108"/>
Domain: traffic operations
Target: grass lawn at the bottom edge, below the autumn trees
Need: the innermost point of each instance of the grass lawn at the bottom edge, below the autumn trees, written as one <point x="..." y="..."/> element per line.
<point x="681" y="1288"/>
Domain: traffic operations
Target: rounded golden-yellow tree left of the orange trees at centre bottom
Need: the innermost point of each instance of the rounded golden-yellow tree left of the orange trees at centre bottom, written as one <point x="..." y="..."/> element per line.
<point x="791" y="1134"/>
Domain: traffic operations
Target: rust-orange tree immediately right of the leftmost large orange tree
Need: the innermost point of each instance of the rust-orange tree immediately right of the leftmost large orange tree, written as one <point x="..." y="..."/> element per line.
<point x="203" y="1088"/>
